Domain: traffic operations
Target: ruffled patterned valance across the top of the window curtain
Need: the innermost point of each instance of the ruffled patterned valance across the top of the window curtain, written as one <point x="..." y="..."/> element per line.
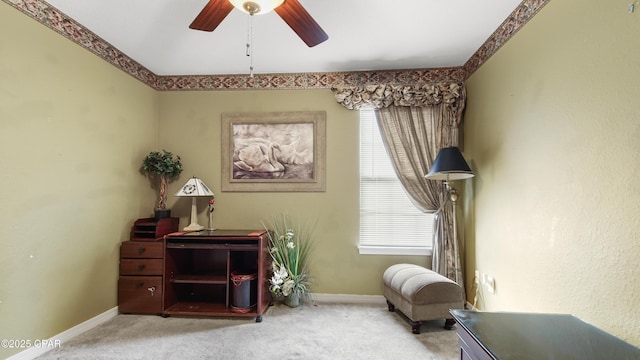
<point x="383" y="96"/>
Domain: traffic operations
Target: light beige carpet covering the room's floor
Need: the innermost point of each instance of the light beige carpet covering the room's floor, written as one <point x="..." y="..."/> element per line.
<point x="321" y="331"/>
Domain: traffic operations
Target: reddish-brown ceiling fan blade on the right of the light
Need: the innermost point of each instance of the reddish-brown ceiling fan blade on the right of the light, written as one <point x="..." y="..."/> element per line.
<point x="299" y="20"/>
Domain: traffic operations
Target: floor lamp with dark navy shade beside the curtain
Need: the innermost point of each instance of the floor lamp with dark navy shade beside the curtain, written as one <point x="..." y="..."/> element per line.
<point x="450" y="165"/>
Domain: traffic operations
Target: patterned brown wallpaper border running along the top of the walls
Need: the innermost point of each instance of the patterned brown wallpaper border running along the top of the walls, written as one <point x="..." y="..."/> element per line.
<point x="54" y="19"/>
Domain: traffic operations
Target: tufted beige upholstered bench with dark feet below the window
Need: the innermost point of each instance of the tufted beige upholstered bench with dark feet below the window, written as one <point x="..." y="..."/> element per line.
<point x="421" y="294"/>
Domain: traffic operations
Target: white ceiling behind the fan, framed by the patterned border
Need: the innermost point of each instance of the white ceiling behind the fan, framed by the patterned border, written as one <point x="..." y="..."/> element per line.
<point x="363" y="35"/>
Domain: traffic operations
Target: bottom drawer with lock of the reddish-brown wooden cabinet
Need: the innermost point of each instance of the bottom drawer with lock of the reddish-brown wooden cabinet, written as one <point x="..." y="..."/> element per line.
<point x="140" y="294"/>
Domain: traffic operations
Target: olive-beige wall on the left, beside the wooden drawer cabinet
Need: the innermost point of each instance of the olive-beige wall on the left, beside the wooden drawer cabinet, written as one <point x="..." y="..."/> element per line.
<point x="73" y="130"/>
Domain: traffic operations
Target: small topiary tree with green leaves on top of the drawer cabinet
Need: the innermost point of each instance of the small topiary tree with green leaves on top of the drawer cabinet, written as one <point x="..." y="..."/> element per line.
<point x="162" y="166"/>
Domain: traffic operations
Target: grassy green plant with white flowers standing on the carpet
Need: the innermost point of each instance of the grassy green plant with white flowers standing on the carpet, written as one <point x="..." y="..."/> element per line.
<point x="290" y="247"/>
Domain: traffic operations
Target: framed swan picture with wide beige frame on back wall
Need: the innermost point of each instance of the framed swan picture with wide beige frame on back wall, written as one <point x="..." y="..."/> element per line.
<point x="276" y="151"/>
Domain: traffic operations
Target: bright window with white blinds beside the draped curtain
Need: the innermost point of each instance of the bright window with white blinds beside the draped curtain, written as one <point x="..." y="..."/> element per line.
<point x="389" y="222"/>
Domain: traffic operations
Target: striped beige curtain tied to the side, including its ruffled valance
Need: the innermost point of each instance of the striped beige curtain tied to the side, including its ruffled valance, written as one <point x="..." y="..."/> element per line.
<point x="416" y="122"/>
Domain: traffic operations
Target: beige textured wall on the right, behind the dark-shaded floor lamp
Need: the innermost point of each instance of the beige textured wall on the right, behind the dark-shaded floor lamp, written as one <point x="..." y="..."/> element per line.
<point x="552" y="129"/>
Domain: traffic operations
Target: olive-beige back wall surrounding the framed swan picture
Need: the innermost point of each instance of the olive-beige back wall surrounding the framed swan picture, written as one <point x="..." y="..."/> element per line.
<point x="190" y="126"/>
